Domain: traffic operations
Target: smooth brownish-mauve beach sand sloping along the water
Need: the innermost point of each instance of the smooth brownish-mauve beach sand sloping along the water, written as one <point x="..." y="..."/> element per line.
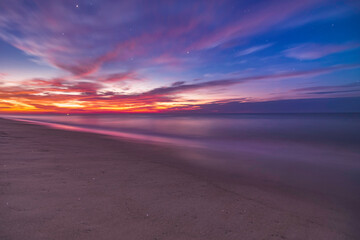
<point x="57" y="184"/>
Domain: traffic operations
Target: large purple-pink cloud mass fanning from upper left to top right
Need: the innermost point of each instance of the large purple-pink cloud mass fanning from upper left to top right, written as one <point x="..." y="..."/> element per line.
<point x="82" y="40"/>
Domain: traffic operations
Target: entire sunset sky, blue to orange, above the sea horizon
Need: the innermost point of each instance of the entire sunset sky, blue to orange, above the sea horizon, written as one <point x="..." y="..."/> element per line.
<point x="74" y="56"/>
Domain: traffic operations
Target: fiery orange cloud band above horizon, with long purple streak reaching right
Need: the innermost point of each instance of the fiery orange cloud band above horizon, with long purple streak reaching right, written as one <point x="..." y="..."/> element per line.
<point x="62" y="92"/>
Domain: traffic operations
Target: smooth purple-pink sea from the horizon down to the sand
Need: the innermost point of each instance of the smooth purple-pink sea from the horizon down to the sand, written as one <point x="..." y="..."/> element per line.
<point x="316" y="152"/>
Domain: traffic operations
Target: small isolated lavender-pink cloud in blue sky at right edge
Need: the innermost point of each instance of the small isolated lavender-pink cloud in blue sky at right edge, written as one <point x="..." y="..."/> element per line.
<point x="311" y="51"/>
